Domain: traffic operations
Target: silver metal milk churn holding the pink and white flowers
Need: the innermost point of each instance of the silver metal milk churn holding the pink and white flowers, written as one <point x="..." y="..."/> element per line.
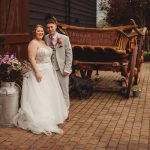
<point x="9" y="102"/>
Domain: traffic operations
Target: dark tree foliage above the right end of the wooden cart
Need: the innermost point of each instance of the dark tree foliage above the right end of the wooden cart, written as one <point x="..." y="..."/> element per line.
<point x="121" y="11"/>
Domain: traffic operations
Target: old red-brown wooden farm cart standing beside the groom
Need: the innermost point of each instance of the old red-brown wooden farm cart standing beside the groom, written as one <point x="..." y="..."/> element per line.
<point x="117" y="49"/>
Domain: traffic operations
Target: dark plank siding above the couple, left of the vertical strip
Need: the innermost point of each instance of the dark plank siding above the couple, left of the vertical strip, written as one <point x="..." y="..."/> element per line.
<point x="41" y="9"/>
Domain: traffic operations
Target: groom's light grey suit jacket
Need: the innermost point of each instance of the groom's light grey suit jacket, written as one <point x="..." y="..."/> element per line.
<point x="63" y="52"/>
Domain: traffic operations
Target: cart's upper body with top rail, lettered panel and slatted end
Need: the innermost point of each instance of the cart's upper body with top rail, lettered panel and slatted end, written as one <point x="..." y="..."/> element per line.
<point x="98" y="37"/>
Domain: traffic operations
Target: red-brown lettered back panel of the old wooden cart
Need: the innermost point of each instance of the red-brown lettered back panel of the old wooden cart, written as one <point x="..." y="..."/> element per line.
<point x="92" y="37"/>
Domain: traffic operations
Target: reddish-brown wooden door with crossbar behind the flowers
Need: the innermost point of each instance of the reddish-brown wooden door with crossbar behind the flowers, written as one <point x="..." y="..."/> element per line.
<point x="14" y="35"/>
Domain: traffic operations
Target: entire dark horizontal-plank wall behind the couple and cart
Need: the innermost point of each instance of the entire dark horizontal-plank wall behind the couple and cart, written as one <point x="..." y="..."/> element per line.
<point x="80" y="13"/>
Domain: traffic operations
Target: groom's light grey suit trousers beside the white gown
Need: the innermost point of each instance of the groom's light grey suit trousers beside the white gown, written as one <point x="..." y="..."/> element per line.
<point x="64" y="84"/>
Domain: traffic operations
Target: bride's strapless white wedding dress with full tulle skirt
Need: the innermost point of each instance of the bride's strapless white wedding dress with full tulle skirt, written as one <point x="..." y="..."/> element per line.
<point x="42" y="104"/>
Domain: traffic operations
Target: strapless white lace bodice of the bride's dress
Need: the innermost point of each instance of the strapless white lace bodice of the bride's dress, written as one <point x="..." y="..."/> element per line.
<point x="43" y="55"/>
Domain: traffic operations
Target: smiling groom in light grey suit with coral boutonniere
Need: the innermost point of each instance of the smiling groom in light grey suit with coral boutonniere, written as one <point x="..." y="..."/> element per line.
<point x="61" y="57"/>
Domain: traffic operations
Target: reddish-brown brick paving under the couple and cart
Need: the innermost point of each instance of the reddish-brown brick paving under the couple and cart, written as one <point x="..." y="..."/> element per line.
<point x="106" y="121"/>
